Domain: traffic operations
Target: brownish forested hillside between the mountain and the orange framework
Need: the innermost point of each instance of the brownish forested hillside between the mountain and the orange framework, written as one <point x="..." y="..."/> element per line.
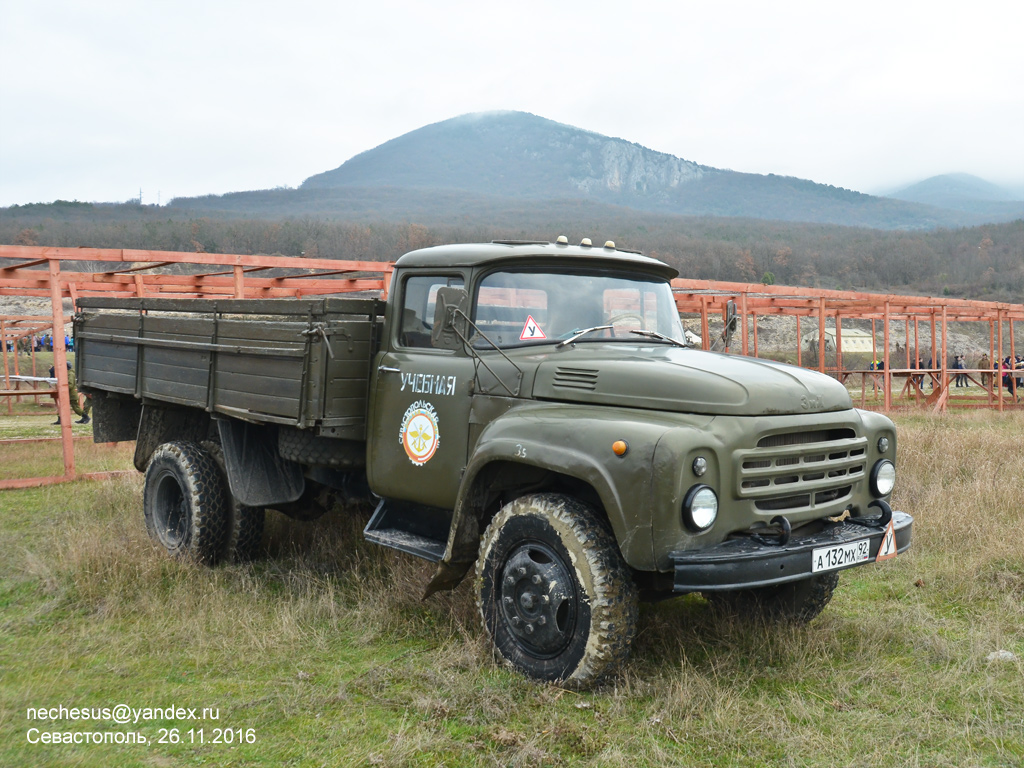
<point x="986" y="263"/>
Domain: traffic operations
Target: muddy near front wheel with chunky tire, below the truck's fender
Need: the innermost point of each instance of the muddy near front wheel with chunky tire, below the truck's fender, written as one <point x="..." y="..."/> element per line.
<point x="553" y="593"/>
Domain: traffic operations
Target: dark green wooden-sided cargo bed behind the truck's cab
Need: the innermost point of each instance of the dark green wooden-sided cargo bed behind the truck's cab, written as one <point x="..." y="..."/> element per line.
<point x="301" y="363"/>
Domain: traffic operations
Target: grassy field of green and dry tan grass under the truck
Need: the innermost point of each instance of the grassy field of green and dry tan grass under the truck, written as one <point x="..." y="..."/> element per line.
<point x="326" y="652"/>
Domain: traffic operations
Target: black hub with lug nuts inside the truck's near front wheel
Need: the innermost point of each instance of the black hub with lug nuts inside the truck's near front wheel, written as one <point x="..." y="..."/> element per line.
<point x="537" y="600"/>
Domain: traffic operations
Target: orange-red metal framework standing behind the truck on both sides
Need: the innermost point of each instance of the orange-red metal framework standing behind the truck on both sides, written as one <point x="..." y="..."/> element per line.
<point x="69" y="274"/>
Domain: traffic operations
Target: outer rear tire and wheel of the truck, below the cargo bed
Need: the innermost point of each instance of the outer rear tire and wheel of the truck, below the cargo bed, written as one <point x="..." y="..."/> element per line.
<point x="184" y="502"/>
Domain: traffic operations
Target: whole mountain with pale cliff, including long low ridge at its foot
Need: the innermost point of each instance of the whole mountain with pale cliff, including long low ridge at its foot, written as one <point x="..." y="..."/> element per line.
<point x="462" y="168"/>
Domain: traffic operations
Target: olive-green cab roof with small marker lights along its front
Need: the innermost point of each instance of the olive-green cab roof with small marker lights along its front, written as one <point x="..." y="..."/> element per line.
<point x="478" y="254"/>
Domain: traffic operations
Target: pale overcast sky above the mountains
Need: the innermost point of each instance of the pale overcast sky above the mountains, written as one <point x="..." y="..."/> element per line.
<point x="101" y="100"/>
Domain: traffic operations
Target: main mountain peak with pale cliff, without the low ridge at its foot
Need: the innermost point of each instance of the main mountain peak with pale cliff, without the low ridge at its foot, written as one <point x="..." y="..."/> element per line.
<point x="520" y="155"/>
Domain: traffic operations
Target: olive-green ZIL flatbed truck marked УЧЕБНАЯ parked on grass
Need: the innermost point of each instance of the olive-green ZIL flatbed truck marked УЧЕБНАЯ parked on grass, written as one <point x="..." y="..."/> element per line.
<point x="529" y="409"/>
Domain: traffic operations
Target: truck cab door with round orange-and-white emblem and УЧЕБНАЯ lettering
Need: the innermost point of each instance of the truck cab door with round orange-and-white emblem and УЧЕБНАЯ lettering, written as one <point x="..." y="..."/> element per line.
<point x="419" y="432"/>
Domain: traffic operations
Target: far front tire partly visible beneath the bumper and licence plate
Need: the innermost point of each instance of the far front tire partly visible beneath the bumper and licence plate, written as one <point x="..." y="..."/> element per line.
<point x="797" y="603"/>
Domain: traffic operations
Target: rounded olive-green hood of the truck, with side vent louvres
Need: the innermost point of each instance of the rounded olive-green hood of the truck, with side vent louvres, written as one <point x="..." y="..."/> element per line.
<point x="665" y="378"/>
